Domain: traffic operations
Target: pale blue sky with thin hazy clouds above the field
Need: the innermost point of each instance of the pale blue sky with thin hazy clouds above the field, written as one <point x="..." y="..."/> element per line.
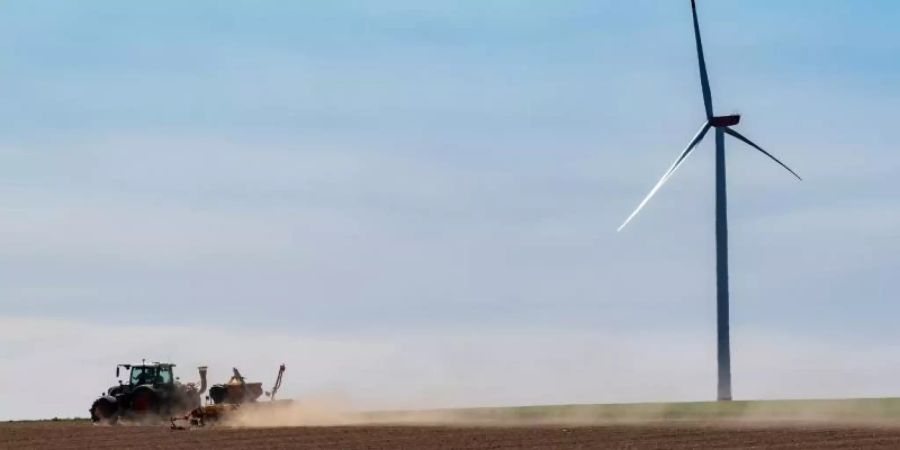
<point x="414" y="204"/>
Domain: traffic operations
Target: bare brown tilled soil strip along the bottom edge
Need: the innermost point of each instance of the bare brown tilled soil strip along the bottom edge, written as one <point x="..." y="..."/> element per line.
<point x="668" y="435"/>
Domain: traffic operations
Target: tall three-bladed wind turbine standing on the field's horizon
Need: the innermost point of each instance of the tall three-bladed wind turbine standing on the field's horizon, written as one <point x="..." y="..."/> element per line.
<point x="722" y="125"/>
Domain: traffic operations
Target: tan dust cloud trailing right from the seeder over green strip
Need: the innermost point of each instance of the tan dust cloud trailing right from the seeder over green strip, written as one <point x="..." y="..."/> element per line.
<point x="328" y="412"/>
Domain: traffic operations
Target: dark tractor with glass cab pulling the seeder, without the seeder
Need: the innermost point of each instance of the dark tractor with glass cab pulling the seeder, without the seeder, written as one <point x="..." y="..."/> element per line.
<point x="151" y="392"/>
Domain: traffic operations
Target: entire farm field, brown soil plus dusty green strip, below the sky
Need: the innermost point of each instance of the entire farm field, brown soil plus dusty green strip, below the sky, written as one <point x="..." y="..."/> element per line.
<point x="787" y="424"/>
